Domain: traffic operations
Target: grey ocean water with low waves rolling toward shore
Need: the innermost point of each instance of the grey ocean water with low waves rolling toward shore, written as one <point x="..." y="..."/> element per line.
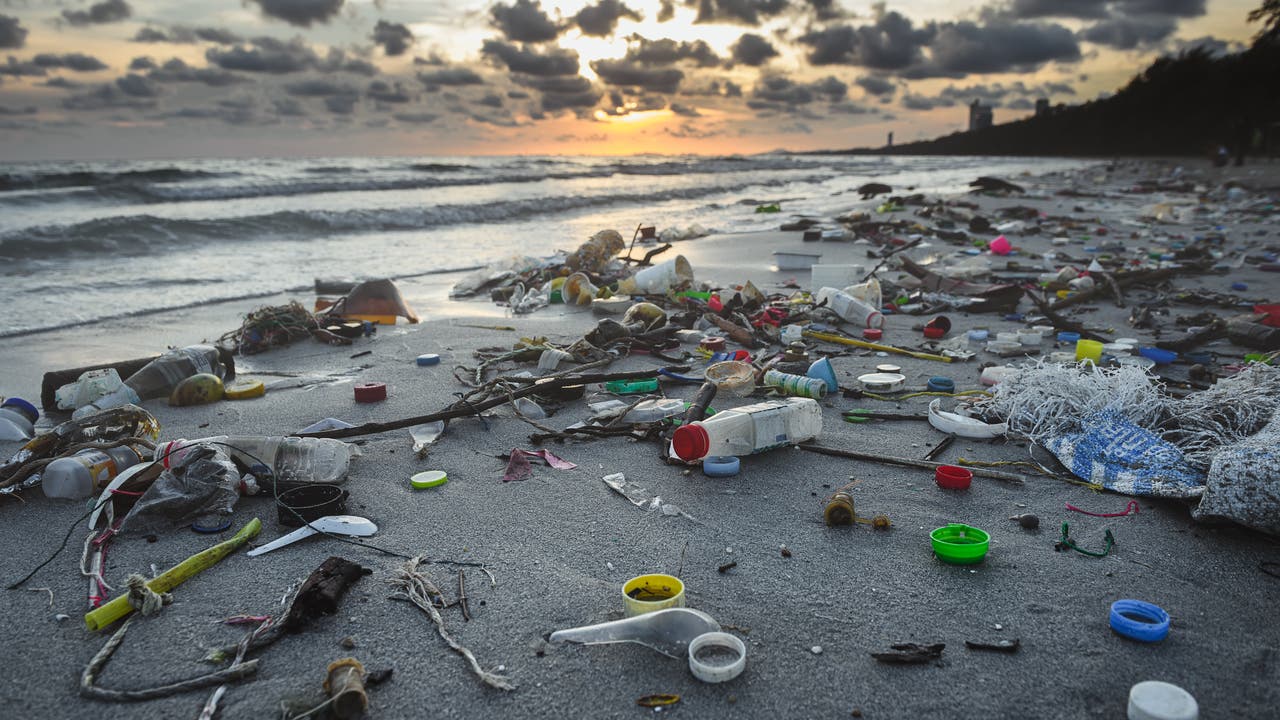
<point x="88" y="241"/>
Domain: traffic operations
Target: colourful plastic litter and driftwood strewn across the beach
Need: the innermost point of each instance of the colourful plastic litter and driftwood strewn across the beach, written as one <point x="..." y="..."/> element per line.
<point x="1181" y="418"/>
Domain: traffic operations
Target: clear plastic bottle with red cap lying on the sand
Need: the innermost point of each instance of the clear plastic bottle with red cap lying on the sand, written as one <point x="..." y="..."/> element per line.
<point x="749" y="430"/>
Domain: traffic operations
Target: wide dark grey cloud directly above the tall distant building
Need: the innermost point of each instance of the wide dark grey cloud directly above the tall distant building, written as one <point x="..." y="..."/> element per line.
<point x="1002" y="47"/>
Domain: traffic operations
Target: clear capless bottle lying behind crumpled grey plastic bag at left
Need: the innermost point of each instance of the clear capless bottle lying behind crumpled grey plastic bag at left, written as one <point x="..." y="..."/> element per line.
<point x="286" y="459"/>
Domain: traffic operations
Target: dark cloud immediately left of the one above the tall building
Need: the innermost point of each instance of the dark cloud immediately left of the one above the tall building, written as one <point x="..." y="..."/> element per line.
<point x="889" y="44"/>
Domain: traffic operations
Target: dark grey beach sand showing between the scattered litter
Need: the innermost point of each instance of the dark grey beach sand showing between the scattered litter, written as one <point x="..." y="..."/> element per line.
<point x="561" y="544"/>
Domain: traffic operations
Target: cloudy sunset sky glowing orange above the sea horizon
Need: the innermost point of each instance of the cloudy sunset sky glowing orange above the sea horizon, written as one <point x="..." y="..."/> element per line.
<point x="180" y="79"/>
